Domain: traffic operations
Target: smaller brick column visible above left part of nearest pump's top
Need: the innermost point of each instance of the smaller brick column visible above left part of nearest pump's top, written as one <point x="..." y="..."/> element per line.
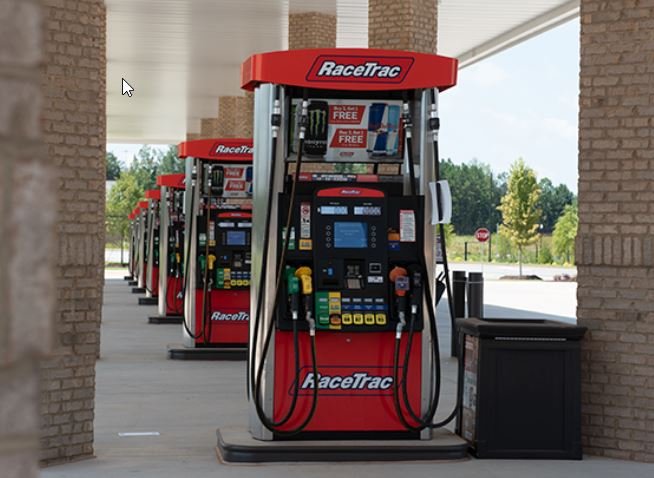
<point x="311" y="30"/>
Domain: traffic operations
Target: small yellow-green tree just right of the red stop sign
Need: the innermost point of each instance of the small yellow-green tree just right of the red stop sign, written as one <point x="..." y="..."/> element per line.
<point x="519" y="207"/>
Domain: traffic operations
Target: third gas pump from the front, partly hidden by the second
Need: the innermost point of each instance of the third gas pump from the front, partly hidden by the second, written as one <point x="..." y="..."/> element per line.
<point x="171" y="250"/>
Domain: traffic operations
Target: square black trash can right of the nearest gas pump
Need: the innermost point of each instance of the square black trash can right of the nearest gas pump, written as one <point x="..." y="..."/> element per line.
<point x="520" y="388"/>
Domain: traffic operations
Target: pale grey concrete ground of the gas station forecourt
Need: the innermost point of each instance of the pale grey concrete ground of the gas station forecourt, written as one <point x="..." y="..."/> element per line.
<point x="139" y="390"/>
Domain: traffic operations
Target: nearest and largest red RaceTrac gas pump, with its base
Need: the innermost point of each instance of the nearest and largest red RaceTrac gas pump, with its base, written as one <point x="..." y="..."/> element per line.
<point x="343" y="341"/>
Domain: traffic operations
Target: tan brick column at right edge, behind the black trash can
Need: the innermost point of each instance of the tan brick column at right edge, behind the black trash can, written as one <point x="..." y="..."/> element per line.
<point x="615" y="245"/>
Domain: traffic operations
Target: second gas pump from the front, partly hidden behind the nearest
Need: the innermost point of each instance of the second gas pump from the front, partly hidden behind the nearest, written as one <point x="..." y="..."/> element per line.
<point x="217" y="252"/>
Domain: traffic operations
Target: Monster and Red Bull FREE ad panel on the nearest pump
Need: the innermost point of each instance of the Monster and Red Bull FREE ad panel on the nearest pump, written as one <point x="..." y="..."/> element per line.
<point x="350" y="130"/>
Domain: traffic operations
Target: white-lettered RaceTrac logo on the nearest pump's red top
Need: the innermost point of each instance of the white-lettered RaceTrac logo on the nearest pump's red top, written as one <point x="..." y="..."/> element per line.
<point x="360" y="69"/>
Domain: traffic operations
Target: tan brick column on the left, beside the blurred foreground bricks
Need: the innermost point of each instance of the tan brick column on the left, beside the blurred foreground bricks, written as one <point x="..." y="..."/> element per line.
<point x="73" y="82"/>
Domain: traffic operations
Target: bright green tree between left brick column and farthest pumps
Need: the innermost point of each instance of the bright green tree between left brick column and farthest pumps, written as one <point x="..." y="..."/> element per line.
<point x="121" y="201"/>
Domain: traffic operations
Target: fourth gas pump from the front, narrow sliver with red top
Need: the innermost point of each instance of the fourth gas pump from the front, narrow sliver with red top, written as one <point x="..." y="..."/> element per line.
<point x="153" y="197"/>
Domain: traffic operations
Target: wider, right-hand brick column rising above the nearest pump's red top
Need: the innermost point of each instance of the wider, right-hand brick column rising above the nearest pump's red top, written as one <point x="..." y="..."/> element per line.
<point x="403" y="25"/>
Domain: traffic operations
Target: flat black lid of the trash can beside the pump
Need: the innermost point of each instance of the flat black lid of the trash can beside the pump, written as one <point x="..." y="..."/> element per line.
<point x="527" y="328"/>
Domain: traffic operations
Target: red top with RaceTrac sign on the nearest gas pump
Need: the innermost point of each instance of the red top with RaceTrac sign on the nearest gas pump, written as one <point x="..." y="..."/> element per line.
<point x="350" y="69"/>
